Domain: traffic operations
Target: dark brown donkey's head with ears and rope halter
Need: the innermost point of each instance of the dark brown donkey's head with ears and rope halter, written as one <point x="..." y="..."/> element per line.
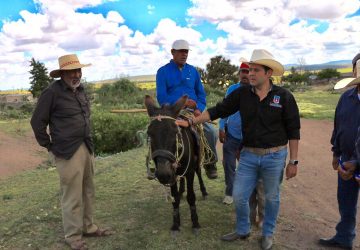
<point x="164" y="135"/>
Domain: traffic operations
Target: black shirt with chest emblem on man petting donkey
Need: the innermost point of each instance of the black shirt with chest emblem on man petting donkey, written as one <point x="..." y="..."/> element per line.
<point x="267" y="123"/>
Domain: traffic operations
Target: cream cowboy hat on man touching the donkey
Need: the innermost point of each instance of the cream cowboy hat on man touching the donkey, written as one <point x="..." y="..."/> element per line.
<point x="264" y="57"/>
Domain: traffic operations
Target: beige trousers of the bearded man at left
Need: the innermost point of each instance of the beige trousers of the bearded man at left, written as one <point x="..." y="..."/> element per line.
<point x="78" y="193"/>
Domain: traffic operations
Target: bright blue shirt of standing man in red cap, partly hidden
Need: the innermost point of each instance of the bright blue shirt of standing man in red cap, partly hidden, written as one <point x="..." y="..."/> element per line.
<point x="232" y="122"/>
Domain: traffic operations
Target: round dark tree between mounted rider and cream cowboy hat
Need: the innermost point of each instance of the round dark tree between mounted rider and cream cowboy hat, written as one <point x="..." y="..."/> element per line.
<point x="219" y="72"/>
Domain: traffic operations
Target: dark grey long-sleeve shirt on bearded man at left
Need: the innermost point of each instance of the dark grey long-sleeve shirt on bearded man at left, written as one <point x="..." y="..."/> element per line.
<point x="68" y="115"/>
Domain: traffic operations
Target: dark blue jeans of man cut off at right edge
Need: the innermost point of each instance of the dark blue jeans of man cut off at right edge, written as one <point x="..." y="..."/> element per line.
<point x="347" y="196"/>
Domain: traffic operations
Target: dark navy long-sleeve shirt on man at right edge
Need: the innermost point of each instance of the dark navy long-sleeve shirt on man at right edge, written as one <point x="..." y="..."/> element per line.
<point x="346" y="124"/>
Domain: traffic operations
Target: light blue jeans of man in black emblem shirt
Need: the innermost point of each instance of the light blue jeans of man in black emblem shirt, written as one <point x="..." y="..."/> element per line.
<point x="269" y="168"/>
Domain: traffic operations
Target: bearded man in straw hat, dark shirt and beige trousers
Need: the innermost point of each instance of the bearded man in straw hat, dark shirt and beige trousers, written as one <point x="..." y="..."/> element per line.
<point x="65" y="107"/>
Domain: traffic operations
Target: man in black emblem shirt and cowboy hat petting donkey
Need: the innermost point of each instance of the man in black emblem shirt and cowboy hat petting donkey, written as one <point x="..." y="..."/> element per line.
<point x="271" y="120"/>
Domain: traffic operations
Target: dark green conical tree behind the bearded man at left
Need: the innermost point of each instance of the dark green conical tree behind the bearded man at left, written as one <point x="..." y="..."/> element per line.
<point x="39" y="78"/>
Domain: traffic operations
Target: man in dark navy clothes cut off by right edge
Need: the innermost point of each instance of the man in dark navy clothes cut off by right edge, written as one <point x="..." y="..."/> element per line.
<point x="346" y="125"/>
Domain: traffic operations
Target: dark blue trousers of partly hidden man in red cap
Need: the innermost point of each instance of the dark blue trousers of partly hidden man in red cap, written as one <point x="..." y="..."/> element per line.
<point x="230" y="146"/>
